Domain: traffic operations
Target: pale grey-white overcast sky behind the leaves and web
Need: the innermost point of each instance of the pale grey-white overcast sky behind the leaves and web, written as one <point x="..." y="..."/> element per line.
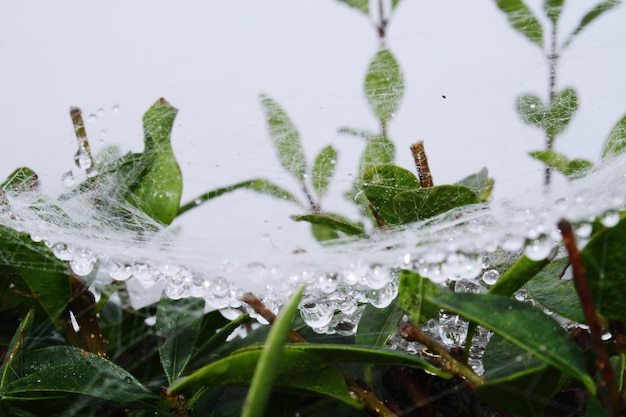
<point x="212" y="59"/>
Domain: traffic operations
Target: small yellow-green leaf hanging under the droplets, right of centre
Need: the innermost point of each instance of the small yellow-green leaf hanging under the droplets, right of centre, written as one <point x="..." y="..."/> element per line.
<point x="413" y="291"/>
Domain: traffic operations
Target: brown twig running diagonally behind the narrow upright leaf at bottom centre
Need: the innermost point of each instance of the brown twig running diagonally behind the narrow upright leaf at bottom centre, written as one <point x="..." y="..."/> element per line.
<point x="373" y="405"/>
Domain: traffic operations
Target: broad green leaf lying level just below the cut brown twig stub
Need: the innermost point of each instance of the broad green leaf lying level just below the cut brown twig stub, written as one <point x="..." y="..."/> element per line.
<point x="424" y="203"/>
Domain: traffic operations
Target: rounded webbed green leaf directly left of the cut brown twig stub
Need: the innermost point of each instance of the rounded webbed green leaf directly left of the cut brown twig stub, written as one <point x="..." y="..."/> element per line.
<point x="382" y="183"/>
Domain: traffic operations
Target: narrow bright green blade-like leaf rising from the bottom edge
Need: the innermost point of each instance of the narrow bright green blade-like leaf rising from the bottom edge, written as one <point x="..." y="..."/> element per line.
<point x="266" y="370"/>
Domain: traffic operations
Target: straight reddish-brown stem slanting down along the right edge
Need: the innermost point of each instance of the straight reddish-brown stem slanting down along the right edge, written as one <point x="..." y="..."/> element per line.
<point x="609" y="383"/>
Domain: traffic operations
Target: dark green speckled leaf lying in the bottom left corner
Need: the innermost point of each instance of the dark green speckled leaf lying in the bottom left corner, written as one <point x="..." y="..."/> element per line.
<point x="66" y="369"/>
